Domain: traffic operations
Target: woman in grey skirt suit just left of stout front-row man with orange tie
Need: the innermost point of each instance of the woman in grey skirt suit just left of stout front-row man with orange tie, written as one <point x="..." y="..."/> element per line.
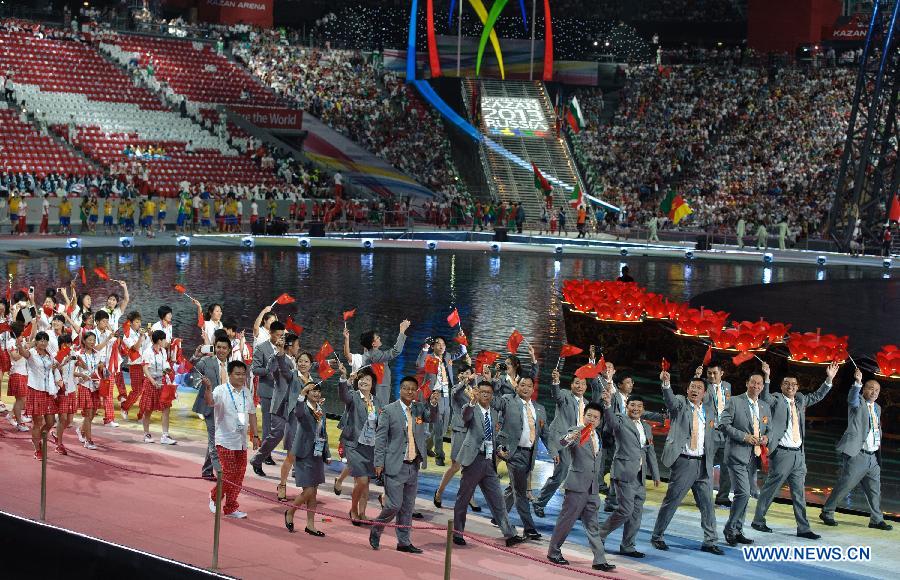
<point x="360" y="419"/>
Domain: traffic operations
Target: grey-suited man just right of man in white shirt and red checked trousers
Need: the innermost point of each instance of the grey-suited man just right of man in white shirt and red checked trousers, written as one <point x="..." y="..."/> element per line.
<point x="285" y="394"/>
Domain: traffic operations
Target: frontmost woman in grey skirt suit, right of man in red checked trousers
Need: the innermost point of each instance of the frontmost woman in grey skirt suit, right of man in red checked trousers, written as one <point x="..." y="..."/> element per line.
<point x="311" y="451"/>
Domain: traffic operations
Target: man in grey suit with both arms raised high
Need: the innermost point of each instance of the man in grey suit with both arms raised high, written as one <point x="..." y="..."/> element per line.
<point x="787" y="456"/>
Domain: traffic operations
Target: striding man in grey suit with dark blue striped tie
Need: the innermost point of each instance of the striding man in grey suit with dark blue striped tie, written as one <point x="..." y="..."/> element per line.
<point x="478" y="457"/>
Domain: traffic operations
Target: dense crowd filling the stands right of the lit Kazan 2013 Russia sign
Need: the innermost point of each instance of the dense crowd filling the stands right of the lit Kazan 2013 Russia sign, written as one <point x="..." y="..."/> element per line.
<point x="735" y="142"/>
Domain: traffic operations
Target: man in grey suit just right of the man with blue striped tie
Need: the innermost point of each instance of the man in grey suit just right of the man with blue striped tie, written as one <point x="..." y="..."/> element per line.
<point x="524" y="422"/>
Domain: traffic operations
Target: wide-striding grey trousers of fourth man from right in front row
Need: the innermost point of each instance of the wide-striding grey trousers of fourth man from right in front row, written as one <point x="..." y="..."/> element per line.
<point x="688" y="474"/>
